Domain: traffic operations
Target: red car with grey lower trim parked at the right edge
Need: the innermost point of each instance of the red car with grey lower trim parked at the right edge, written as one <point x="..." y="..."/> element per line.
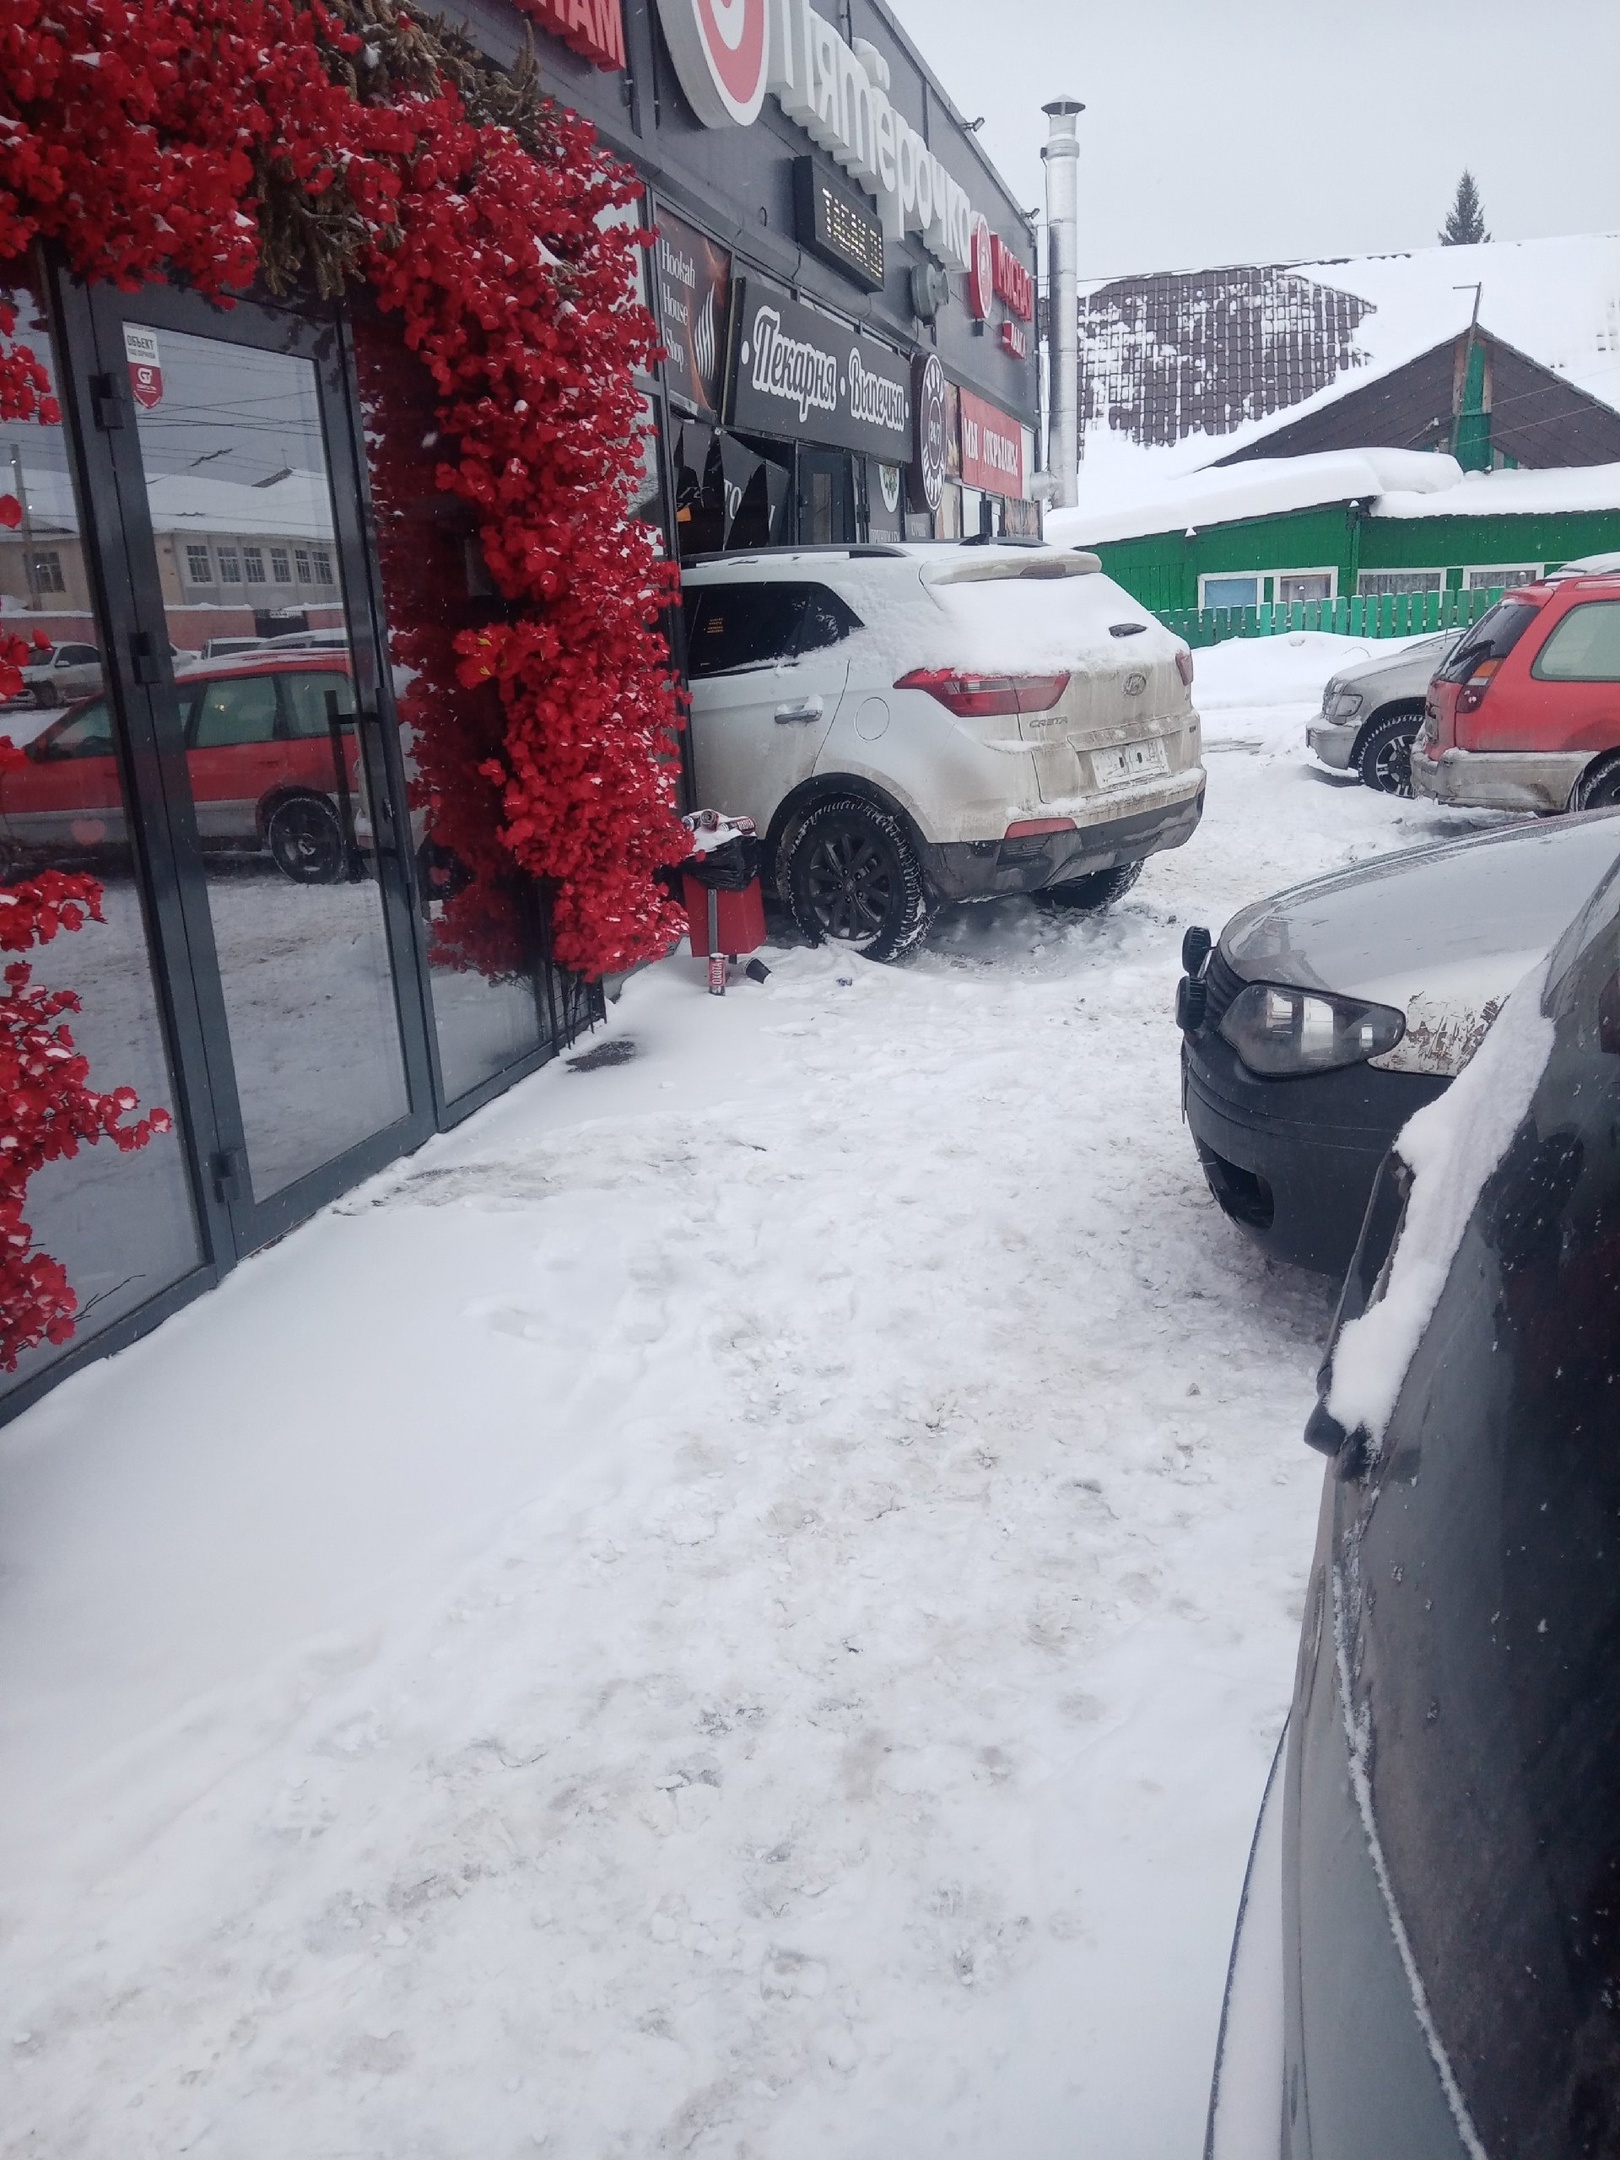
<point x="1526" y="712"/>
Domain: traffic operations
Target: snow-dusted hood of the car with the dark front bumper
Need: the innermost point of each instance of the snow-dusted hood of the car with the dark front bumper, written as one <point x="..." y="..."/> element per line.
<point x="1440" y="932"/>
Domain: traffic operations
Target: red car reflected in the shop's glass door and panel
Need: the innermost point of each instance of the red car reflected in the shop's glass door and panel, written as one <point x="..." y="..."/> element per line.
<point x="271" y="753"/>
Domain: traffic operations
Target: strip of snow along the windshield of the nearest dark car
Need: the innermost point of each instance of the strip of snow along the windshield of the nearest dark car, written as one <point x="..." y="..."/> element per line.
<point x="1453" y="1146"/>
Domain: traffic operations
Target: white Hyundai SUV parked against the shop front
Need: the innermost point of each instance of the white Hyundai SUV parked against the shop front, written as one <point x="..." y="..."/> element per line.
<point x="939" y="723"/>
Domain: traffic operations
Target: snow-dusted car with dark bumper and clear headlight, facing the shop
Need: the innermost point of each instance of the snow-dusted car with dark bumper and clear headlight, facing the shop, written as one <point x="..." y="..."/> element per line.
<point x="1327" y="1016"/>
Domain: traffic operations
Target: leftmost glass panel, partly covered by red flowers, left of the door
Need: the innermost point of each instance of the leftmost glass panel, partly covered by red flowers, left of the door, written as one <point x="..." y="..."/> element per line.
<point x="122" y="1226"/>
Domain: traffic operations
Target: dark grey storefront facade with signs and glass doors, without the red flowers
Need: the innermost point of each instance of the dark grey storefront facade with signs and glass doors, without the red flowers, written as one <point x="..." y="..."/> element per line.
<point x="293" y="960"/>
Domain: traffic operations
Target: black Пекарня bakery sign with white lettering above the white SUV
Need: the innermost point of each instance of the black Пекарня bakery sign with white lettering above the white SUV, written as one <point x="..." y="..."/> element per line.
<point x="800" y="375"/>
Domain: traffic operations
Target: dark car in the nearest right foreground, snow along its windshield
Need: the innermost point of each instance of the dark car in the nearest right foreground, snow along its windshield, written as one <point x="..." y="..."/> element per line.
<point x="1427" y="1958"/>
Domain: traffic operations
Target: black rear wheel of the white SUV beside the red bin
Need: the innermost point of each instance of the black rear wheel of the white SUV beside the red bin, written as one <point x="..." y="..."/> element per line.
<point x="854" y="876"/>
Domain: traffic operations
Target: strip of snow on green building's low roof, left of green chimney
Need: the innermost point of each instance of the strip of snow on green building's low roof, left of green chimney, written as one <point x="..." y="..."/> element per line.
<point x="1265" y="487"/>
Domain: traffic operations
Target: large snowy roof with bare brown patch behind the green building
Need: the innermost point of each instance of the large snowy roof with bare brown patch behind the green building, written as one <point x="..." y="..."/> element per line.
<point x="1349" y="323"/>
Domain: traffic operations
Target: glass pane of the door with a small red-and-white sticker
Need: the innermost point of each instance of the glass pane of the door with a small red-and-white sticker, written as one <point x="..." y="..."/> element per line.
<point x="284" y="818"/>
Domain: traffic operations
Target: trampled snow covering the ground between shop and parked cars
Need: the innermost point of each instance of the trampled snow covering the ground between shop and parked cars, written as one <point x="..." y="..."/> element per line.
<point x="735" y="1606"/>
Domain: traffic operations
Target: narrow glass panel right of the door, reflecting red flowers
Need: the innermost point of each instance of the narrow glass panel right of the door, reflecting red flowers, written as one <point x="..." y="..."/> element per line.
<point x="481" y="917"/>
